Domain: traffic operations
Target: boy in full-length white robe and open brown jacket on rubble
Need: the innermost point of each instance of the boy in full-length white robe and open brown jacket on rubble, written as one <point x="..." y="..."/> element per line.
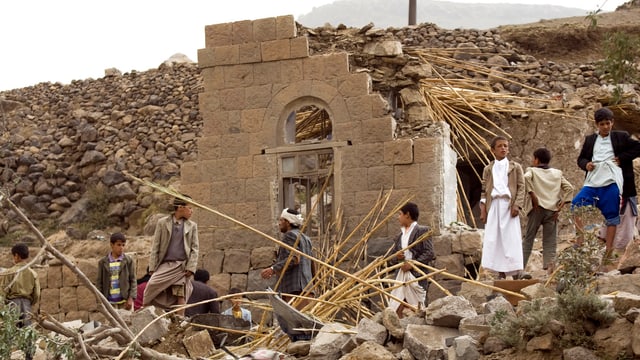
<point x="501" y="200"/>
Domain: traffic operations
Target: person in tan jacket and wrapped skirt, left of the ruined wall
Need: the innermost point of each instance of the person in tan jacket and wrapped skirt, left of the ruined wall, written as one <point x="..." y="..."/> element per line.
<point x="173" y="259"/>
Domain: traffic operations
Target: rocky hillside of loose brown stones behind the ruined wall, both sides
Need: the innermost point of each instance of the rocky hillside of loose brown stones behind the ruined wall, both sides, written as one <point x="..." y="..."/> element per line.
<point x="65" y="147"/>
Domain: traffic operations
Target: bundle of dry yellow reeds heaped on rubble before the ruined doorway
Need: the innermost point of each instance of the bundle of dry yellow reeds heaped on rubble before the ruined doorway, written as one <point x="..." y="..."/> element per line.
<point x="348" y="284"/>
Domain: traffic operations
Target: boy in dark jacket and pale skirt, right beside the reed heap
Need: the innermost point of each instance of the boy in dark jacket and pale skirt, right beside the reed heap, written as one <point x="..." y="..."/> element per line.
<point x="412" y="292"/>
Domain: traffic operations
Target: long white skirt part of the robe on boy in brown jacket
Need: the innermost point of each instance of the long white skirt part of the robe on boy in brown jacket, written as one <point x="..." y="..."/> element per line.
<point x="502" y="243"/>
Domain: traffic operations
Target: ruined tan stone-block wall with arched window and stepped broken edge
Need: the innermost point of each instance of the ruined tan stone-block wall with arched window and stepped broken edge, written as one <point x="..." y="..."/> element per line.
<point x="253" y="160"/>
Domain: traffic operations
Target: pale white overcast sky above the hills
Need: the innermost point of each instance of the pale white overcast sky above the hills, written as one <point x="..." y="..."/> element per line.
<point x="65" y="40"/>
